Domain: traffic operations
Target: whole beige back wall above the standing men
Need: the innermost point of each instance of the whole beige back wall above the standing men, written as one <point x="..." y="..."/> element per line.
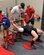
<point x="38" y="4"/>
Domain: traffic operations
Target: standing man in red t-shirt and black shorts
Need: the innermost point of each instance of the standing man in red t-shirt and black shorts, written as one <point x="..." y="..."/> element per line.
<point x="30" y="12"/>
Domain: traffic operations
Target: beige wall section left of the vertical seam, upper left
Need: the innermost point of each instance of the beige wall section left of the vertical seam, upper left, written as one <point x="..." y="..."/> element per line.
<point x="6" y="3"/>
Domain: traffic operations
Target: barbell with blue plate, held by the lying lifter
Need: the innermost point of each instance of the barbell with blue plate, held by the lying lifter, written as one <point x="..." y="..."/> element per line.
<point x="6" y="22"/>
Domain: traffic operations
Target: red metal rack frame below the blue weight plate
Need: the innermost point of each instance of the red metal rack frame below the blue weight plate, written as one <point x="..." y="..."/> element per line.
<point x="9" y="39"/>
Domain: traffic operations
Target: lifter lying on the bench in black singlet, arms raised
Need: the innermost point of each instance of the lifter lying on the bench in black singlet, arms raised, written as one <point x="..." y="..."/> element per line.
<point x="36" y="33"/>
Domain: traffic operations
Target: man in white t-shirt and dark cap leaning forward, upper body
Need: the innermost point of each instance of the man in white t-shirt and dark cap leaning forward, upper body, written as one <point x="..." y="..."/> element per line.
<point x="15" y="11"/>
